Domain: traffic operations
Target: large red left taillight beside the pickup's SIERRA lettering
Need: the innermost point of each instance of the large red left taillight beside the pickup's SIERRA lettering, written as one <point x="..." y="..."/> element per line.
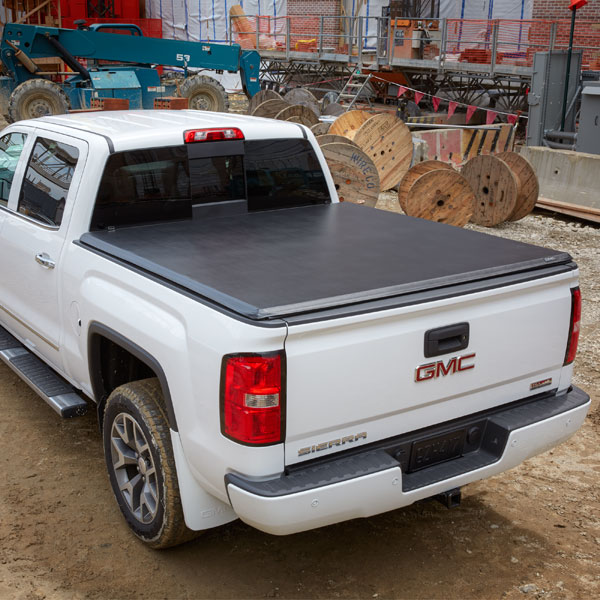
<point x="252" y="398"/>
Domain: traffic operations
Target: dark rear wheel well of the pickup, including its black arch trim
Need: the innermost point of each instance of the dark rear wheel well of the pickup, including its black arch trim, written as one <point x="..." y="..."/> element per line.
<point x="114" y="361"/>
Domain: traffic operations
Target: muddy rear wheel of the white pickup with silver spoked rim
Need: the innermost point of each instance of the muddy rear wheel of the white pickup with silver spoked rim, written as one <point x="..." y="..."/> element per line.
<point x="157" y="518"/>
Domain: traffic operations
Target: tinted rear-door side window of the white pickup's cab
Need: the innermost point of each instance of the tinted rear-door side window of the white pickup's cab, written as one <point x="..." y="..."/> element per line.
<point x="47" y="181"/>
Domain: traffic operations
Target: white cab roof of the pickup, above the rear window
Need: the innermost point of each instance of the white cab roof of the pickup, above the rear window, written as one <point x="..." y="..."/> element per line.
<point x="132" y="129"/>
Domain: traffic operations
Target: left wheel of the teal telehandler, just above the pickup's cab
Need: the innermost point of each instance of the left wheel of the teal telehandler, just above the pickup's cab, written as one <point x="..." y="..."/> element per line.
<point x="36" y="98"/>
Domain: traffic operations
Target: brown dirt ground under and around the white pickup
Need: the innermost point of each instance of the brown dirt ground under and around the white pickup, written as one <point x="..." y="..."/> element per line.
<point x="533" y="532"/>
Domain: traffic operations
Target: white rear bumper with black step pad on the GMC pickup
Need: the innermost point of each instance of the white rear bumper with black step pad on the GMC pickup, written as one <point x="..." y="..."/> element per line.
<point x="379" y="478"/>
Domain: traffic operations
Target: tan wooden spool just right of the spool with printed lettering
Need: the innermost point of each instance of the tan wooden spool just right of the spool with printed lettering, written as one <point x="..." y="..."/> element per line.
<point x="388" y="142"/>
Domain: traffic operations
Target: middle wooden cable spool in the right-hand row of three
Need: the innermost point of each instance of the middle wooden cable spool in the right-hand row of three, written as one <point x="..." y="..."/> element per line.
<point x="495" y="187"/>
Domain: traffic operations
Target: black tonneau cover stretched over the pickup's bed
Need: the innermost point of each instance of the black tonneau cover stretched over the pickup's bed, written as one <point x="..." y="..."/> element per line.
<point x="280" y="263"/>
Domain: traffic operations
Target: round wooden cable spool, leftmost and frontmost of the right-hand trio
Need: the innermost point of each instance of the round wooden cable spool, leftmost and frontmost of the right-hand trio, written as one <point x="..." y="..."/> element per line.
<point x="441" y="195"/>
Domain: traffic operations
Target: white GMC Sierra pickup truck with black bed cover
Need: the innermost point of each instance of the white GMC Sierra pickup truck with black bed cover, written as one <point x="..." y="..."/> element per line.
<point x="255" y="349"/>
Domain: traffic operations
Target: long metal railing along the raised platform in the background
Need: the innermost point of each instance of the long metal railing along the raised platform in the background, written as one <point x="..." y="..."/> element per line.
<point x="499" y="45"/>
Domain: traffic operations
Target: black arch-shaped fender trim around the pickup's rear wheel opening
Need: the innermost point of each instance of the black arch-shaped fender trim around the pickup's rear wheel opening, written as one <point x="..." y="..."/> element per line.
<point x="97" y="330"/>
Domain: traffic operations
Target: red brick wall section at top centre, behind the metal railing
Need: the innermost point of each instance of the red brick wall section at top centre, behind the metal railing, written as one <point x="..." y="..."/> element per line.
<point x="305" y="17"/>
